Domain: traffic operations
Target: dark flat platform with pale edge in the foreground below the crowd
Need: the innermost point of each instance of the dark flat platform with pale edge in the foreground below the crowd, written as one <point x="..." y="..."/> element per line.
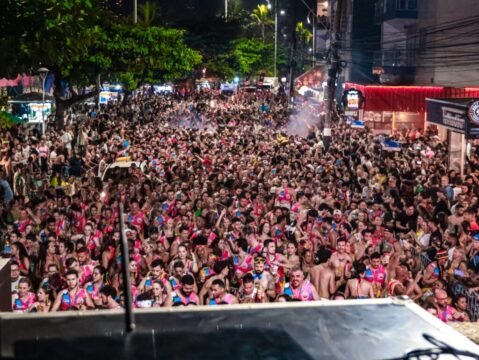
<point x="375" y="329"/>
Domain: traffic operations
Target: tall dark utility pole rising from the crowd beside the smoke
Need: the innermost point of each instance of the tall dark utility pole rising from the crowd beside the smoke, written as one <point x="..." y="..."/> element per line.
<point x="333" y="68"/>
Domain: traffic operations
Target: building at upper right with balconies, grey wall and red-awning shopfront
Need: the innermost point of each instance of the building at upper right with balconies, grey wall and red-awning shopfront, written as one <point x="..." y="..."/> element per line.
<point x="426" y="49"/>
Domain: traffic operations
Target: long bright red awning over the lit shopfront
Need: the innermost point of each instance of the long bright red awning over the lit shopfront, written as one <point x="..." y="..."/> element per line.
<point x="407" y="98"/>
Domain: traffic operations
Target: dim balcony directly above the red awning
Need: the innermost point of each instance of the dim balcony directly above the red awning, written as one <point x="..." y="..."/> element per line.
<point x="396" y="67"/>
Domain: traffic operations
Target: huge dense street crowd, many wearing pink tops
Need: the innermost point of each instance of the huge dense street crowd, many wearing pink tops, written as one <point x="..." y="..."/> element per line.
<point x="225" y="205"/>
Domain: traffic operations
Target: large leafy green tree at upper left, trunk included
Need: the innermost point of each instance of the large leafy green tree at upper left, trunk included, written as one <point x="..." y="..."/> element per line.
<point x="79" y="42"/>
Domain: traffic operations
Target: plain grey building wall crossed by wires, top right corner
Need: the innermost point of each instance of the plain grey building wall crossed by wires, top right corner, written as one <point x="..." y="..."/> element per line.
<point x="447" y="41"/>
